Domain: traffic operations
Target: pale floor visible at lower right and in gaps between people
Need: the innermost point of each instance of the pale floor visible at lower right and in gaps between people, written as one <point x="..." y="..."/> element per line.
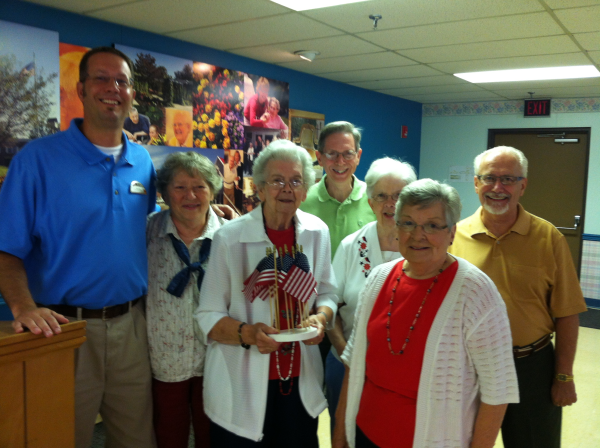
<point x="581" y="422"/>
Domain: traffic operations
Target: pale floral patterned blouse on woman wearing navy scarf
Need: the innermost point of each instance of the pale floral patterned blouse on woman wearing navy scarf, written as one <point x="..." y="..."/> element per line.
<point x="174" y="339"/>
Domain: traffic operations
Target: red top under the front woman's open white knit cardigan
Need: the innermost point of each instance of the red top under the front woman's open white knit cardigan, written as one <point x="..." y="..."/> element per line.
<point x="388" y="405"/>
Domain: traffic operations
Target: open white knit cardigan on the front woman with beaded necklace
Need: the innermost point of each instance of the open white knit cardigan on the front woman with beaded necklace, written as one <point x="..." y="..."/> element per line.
<point x="468" y="358"/>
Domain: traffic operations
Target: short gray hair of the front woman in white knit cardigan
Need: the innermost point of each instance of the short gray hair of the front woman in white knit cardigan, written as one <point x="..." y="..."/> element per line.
<point x="427" y="192"/>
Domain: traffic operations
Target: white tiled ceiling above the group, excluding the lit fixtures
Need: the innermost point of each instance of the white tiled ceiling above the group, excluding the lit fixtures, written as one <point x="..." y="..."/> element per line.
<point x="416" y="48"/>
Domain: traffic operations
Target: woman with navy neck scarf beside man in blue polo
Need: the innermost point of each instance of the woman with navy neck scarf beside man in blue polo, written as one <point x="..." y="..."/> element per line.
<point x="178" y="242"/>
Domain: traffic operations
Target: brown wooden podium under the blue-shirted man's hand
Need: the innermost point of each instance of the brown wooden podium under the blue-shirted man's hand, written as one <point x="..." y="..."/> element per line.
<point x="37" y="387"/>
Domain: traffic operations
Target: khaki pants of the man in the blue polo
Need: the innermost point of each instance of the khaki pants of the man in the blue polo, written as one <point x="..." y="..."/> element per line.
<point x="113" y="378"/>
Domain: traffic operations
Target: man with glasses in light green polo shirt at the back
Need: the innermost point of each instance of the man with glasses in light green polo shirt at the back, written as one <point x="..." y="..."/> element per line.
<point x="340" y="199"/>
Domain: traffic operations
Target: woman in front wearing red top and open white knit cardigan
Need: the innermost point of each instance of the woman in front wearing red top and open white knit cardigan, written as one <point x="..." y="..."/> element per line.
<point x="430" y="356"/>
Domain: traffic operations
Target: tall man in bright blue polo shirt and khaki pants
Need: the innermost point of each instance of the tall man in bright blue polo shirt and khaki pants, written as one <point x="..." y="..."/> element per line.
<point x="72" y="246"/>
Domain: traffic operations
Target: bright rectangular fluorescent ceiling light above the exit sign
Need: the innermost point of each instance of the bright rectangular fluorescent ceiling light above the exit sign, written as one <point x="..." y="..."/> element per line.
<point x="531" y="74"/>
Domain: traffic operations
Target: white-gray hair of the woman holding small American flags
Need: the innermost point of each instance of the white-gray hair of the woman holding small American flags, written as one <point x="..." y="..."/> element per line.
<point x="286" y="151"/>
